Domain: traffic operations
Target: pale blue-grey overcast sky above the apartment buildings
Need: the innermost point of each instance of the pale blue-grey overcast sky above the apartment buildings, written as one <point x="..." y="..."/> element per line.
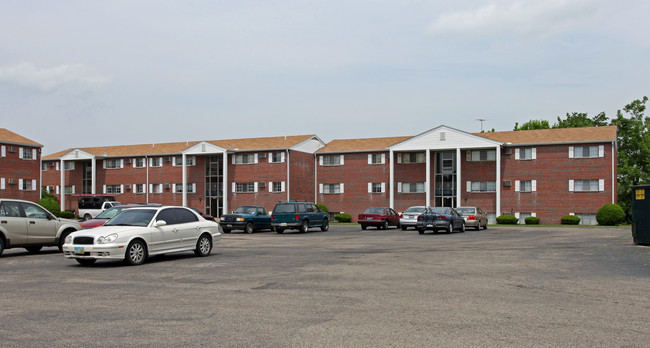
<point x="82" y="73"/>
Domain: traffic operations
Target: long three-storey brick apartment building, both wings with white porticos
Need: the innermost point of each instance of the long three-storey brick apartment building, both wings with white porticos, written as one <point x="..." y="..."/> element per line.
<point x="544" y="173"/>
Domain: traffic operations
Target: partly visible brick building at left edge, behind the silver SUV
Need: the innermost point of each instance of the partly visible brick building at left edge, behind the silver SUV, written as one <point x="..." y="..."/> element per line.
<point x="20" y="161"/>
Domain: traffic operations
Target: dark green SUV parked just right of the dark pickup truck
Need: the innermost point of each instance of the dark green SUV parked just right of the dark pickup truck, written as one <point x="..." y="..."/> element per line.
<point x="298" y="216"/>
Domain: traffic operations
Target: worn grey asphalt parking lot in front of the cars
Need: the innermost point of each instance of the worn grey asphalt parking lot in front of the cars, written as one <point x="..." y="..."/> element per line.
<point x="505" y="286"/>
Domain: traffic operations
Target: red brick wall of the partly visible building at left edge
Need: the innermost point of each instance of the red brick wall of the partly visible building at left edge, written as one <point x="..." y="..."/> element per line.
<point x="13" y="167"/>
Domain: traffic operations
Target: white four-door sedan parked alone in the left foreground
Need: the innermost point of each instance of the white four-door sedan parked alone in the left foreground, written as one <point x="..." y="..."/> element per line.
<point x="137" y="233"/>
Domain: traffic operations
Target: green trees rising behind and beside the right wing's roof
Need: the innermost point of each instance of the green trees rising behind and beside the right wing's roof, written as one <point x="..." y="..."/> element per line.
<point x="633" y="143"/>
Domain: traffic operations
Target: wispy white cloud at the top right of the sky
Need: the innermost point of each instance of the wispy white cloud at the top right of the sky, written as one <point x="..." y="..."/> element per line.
<point x="524" y="18"/>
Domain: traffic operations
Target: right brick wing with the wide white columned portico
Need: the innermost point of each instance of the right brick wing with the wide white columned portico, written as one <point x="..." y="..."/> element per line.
<point x="545" y="173"/>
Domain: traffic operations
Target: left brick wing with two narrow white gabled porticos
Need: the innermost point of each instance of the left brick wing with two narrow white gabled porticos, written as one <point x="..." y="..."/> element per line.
<point x="208" y="175"/>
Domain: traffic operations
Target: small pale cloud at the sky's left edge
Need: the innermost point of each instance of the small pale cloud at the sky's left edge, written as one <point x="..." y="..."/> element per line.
<point x="49" y="79"/>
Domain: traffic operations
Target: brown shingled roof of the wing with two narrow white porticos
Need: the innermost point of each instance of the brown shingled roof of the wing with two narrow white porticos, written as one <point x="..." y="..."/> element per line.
<point x="268" y="143"/>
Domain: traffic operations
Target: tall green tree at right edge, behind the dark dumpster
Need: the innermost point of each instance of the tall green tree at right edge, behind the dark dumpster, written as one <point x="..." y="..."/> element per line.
<point x="633" y="151"/>
